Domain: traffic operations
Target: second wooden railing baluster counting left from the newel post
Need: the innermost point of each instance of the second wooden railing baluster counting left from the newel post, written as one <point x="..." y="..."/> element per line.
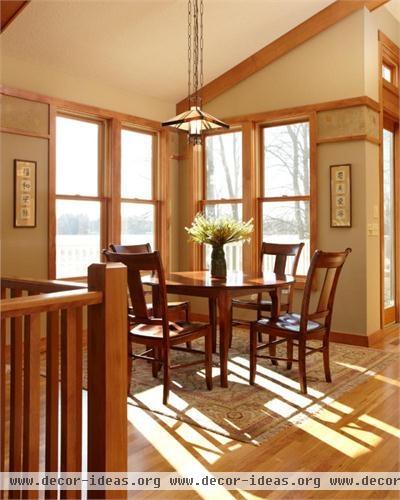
<point x="52" y="393"/>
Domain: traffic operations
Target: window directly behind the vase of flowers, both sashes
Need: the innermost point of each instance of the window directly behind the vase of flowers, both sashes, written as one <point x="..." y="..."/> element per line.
<point x="223" y="187"/>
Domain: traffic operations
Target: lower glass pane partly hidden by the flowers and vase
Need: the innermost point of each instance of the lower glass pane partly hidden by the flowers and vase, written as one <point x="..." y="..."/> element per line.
<point x="233" y="251"/>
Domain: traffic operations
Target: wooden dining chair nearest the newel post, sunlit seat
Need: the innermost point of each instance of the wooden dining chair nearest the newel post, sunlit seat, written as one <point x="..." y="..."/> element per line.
<point x="159" y="335"/>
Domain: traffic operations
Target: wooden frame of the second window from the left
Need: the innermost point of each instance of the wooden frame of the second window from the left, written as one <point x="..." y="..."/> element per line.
<point x="155" y="190"/>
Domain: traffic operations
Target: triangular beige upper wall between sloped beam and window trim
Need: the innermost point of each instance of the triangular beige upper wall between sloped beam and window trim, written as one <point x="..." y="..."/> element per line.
<point x="326" y="68"/>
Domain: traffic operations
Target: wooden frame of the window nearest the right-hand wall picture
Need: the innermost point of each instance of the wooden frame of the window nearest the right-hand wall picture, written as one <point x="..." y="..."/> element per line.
<point x="311" y="198"/>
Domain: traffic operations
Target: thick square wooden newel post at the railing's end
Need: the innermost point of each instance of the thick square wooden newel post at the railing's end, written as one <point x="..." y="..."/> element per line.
<point x="107" y="373"/>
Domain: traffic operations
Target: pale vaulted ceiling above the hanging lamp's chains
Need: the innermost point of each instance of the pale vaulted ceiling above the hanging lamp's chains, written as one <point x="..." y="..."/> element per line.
<point x="141" y="45"/>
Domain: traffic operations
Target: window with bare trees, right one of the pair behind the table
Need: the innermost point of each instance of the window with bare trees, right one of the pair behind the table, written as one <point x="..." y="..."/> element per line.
<point x="285" y="202"/>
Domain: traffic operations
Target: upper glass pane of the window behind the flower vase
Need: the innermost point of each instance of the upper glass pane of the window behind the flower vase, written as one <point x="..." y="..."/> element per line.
<point x="224" y="166"/>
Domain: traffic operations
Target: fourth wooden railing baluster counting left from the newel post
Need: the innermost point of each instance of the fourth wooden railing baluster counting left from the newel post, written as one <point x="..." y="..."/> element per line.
<point x="16" y="390"/>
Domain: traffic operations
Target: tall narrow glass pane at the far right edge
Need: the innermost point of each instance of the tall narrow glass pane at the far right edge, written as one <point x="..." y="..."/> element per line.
<point x="388" y="217"/>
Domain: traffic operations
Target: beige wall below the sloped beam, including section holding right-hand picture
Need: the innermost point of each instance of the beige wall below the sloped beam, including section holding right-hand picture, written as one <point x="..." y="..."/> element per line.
<point x="341" y="62"/>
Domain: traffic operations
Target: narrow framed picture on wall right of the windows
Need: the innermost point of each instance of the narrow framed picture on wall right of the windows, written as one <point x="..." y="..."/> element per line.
<point x="340" y="195"/>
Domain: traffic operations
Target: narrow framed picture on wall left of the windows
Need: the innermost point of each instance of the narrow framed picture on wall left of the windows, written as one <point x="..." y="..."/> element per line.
<point x="25" y="179"/>
